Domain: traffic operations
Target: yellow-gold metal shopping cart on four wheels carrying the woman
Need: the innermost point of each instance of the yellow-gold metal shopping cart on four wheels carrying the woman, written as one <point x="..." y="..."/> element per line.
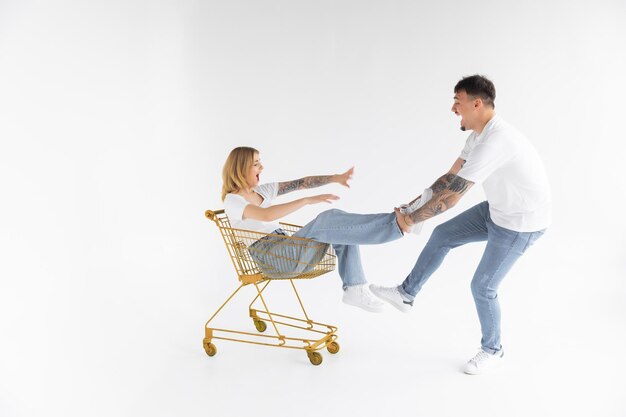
<point x="259" y="261"/>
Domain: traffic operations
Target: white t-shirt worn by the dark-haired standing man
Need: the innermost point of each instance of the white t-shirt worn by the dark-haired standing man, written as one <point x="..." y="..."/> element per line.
<point x="512" y="175"/>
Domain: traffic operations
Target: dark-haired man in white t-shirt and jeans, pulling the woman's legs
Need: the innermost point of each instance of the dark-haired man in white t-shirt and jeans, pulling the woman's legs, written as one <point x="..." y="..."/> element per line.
<point x="515" y="215"/>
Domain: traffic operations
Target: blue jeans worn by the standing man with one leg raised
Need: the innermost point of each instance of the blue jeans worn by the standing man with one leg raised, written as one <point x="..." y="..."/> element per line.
<point x="504" y="247"/>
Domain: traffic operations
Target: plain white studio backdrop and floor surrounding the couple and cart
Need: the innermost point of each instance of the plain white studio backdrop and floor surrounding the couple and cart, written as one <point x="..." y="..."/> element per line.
<point x="116" y="118"/>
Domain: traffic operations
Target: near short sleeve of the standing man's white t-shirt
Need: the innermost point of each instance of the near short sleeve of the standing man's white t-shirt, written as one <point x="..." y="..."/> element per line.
<point x="484" y="159"/>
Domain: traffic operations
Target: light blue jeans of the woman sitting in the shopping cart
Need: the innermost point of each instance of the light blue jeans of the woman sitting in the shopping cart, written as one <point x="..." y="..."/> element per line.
<point x="345" y="231"/>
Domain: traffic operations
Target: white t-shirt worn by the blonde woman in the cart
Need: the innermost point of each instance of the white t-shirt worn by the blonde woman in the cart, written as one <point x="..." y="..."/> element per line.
<point x="235" y="204"/>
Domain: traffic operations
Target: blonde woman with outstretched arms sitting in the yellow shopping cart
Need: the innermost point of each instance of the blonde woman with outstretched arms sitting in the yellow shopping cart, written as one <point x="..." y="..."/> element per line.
<point x="249" y="206"/>
